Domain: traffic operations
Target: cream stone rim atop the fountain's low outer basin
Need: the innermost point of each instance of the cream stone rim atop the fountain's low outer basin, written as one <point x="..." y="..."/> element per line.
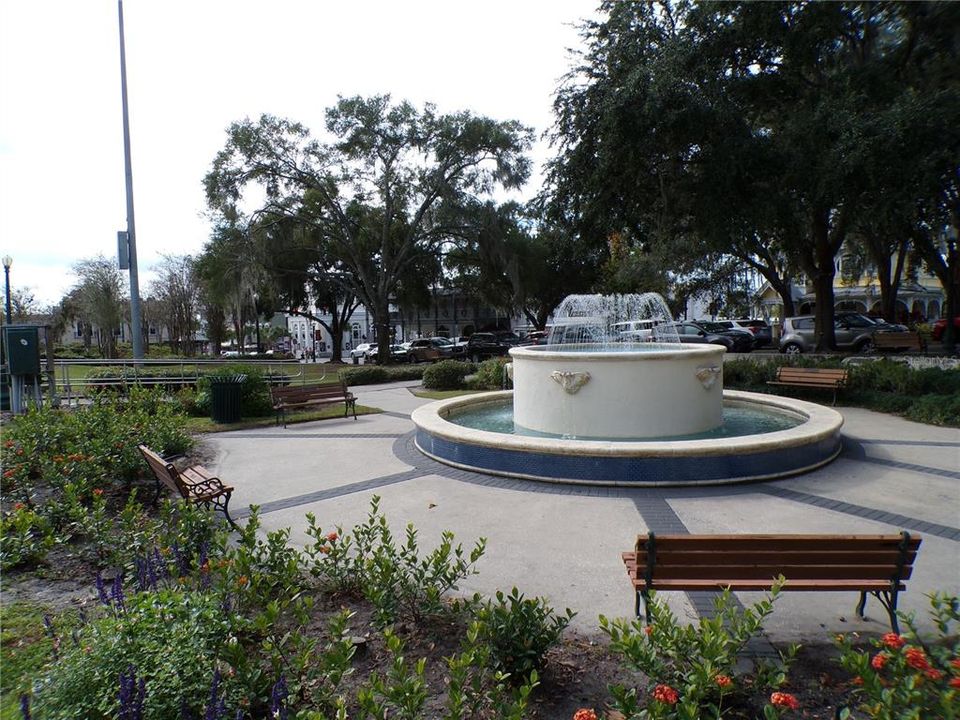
<point x="820" y="423"/>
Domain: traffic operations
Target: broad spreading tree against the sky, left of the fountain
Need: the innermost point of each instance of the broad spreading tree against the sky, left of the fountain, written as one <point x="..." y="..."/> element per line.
<point x="381" y="192"/>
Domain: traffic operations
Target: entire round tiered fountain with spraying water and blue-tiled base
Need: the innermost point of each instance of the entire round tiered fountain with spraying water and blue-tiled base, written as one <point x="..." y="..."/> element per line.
<point x="615" y="398"/>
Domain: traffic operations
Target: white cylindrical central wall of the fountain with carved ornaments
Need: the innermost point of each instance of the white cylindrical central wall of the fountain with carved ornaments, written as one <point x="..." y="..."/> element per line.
<point x="661" y="390"/>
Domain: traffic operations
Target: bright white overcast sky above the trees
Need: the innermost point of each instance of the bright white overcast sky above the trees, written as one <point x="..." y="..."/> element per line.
<point x="195" y="66"/>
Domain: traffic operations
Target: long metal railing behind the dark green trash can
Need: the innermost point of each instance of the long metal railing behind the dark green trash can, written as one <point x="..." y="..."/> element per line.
<point x="68" y="388"/>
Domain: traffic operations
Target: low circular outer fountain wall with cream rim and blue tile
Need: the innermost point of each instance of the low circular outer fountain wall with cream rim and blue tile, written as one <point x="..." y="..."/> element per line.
<point x="651" y="462"/>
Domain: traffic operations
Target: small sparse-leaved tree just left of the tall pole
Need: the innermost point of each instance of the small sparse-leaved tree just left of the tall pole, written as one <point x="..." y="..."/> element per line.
<point x="100" y="300"/>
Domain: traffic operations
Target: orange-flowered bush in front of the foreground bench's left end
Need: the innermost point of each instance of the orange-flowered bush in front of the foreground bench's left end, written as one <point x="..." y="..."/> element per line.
<point x="694" y="667"/>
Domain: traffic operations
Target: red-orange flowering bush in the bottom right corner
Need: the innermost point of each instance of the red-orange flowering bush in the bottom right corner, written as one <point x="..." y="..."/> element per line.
<point x="907" y="677"/>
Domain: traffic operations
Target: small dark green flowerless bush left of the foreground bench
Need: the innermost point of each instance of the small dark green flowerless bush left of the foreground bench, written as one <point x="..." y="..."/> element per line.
<point x="520" y="631"/>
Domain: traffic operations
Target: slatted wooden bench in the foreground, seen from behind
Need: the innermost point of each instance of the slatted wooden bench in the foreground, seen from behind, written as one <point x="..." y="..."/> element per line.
<point x="875" y="564"/>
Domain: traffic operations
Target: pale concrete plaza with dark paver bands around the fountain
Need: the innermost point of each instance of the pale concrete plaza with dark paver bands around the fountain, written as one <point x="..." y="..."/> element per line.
<point x="564" y="542"/>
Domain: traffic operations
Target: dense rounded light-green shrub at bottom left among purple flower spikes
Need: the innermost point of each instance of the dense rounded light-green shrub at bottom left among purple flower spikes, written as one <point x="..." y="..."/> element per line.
<point x="169" y="638"/>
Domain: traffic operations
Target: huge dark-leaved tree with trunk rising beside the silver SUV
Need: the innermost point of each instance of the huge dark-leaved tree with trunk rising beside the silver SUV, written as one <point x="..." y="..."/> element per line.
<point x="759" y="129"/>
